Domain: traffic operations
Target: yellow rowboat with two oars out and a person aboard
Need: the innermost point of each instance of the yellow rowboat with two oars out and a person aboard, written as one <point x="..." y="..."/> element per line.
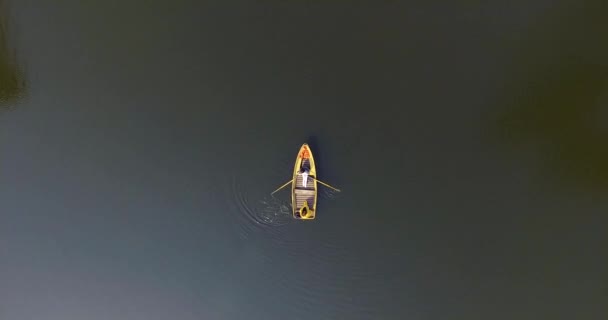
<point x="304" y="185"/>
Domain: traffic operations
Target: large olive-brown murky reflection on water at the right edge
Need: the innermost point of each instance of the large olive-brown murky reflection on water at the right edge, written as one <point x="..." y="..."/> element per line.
<point x="560" y="98"/>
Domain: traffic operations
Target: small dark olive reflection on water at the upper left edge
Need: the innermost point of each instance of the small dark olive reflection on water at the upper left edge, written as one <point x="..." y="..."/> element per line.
<point x="12" y="82"/>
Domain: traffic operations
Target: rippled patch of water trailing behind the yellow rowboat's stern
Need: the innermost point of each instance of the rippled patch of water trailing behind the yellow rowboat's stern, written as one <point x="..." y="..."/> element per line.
<point x="309" y="260"/>
